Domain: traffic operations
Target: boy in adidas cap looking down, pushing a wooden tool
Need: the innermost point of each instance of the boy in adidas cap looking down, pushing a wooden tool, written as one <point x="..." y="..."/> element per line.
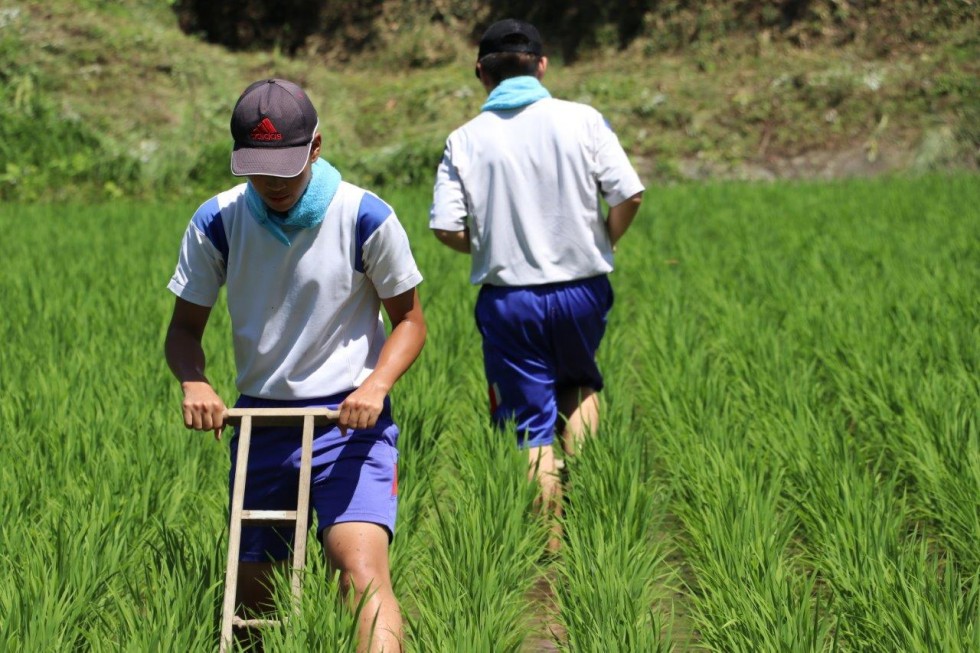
<point x="307" y="261"/>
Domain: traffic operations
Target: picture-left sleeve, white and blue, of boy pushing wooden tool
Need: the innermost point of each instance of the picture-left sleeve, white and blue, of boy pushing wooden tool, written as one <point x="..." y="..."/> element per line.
<point x="201" y="265"/>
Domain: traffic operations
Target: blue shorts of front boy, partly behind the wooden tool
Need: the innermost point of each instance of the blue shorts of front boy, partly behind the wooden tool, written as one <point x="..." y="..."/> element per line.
<point x="353" y="478"/>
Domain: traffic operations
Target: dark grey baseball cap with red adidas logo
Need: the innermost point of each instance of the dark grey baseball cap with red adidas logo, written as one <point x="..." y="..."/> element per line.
<point x="273" y="125"/>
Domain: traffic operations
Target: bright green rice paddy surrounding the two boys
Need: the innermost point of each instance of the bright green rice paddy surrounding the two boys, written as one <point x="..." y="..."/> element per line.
<point x="789" y="457"/>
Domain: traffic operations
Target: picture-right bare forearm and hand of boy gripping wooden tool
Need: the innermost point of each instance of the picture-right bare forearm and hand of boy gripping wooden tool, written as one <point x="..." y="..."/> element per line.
<point x="362" y="407"/>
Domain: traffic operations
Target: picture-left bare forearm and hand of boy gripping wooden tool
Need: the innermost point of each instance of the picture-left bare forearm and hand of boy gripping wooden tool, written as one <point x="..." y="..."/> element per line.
<point x="203" y="409"/>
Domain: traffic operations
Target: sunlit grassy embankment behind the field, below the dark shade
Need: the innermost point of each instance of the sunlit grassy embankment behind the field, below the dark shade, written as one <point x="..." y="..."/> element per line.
<point x="105" y="100"/>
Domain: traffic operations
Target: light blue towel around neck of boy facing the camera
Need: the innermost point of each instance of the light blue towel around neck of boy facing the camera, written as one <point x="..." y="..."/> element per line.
<point x="307" y="212"/>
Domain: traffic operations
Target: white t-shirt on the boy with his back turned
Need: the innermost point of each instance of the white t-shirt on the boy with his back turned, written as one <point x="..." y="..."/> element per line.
<point x="527" y="183"/>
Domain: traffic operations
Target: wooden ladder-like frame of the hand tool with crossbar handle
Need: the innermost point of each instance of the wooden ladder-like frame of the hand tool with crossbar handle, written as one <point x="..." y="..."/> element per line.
<point x="245" y="419"/>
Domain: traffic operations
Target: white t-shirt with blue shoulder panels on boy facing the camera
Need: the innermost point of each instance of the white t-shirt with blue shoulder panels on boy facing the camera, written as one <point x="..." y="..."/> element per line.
<point x="306" y="317"/>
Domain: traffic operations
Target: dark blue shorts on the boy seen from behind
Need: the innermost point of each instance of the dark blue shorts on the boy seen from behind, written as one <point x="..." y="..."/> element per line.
<point x="538" y="341"/>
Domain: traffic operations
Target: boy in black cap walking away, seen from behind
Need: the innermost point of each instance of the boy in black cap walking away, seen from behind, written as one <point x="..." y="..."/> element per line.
<point x="519" y="190"/>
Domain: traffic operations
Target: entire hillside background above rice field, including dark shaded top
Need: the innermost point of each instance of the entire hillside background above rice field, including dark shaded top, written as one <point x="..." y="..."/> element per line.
<point x="109" y="98"/>
